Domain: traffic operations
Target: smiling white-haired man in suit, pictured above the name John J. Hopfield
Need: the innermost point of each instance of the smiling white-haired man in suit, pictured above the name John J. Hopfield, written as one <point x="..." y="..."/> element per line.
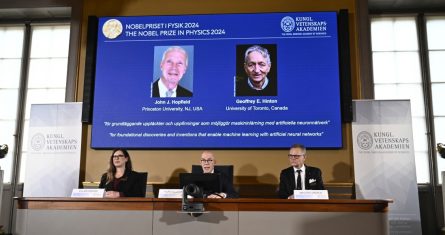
<point x="173" y="67"/>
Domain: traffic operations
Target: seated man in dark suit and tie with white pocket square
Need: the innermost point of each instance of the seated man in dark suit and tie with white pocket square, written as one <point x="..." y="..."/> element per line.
<point x="299" y="176"/>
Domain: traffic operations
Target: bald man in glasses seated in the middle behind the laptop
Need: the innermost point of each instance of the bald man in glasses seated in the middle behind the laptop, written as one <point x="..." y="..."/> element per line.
<point x="208" y="166"/>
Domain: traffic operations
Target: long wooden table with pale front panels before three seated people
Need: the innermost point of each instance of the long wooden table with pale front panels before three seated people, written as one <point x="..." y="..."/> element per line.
<point x="223" y="216"/>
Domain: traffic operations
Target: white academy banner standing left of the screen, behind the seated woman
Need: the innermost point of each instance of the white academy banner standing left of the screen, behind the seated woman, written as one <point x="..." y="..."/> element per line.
<point x="53" y="162"/>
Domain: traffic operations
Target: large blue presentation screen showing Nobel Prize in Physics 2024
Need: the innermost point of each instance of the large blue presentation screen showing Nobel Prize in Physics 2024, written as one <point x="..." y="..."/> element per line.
<point x="226" y="81"/>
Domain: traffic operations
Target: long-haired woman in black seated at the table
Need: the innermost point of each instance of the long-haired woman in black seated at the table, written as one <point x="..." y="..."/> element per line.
<point x="120" y="180"/>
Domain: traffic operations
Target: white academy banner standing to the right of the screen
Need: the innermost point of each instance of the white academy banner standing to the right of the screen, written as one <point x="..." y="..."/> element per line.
<point x="384" y="163"/>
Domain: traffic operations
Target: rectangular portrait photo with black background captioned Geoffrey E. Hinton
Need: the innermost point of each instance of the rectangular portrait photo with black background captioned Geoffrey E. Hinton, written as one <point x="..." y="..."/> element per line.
<point x="256" y="70"/>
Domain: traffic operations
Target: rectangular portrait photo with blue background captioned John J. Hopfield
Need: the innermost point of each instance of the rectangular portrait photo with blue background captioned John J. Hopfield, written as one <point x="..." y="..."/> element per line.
<point x="172" y="72"/>
